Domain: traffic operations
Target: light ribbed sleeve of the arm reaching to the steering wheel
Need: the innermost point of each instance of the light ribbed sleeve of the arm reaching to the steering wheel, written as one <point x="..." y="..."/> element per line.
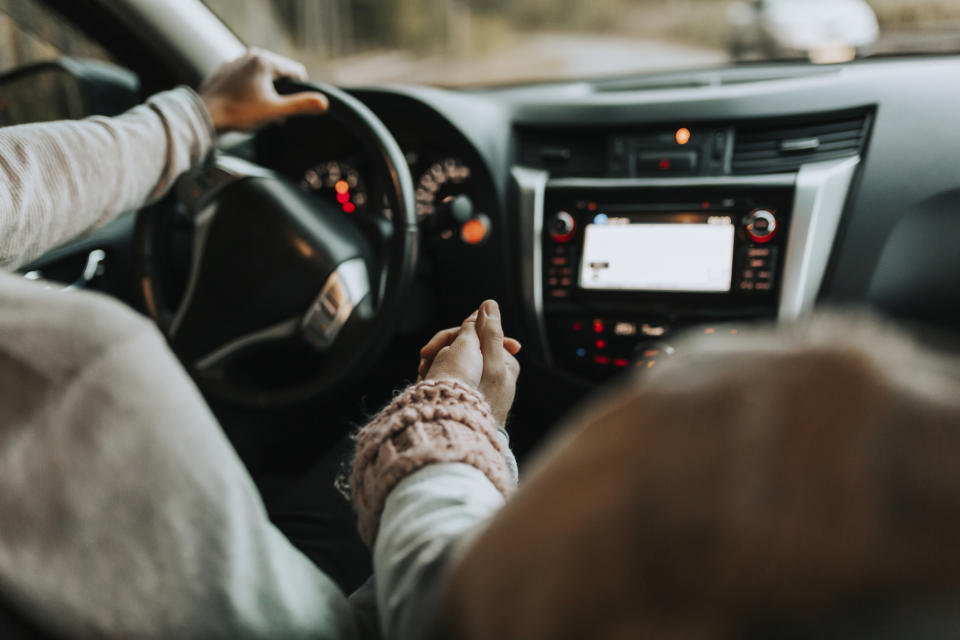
<point x="61" y="179"/>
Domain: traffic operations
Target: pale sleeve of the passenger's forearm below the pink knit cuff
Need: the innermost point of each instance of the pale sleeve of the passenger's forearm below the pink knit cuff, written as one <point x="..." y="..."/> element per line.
<point x="427" y="517"/>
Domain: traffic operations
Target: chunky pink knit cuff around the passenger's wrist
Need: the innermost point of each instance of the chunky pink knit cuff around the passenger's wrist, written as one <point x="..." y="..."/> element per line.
<point x="431" y="422"/>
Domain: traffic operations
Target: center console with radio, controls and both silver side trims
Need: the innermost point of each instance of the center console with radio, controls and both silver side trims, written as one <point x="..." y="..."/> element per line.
<point x="617" y="268"/>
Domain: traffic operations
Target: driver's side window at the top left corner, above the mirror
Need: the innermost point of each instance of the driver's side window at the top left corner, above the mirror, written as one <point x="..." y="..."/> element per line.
<point x="30" y="32"/>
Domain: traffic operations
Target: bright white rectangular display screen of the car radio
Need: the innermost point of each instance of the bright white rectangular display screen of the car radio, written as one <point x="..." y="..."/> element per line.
<point x="622" y="254"/>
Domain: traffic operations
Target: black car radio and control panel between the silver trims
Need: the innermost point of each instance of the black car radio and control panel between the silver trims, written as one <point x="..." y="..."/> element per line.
<point x="625" y="269"/>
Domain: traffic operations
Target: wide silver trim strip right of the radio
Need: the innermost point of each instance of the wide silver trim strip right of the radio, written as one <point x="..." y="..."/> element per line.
<point x="822" y="190"/>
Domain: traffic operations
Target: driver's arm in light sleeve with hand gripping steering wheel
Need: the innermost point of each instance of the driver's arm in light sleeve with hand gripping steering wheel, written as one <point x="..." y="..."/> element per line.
<point x="61" y="179"/>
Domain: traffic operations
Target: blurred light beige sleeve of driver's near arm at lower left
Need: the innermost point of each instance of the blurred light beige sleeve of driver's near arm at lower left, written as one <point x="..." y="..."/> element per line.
<point x="125" y="512"/>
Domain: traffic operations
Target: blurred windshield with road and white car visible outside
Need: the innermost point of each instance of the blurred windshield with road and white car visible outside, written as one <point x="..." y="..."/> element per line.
<point x="493" y="42"/>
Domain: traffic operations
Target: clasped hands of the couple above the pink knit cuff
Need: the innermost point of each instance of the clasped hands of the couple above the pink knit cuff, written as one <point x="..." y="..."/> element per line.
<point x="477" y="354"/>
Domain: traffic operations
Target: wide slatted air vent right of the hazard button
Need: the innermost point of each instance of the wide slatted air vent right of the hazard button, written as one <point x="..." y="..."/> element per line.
<point x="785" y="147"/>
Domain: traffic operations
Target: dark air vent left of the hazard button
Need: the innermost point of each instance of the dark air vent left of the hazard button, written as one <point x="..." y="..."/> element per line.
<point x="564" y="153"/>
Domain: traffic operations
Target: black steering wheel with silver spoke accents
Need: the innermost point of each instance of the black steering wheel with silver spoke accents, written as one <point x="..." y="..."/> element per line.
<point x="280" y="297"/>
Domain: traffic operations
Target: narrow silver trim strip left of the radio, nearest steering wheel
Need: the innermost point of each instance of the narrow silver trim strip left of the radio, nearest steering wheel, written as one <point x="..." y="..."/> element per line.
<point x="532" y="184"/>
